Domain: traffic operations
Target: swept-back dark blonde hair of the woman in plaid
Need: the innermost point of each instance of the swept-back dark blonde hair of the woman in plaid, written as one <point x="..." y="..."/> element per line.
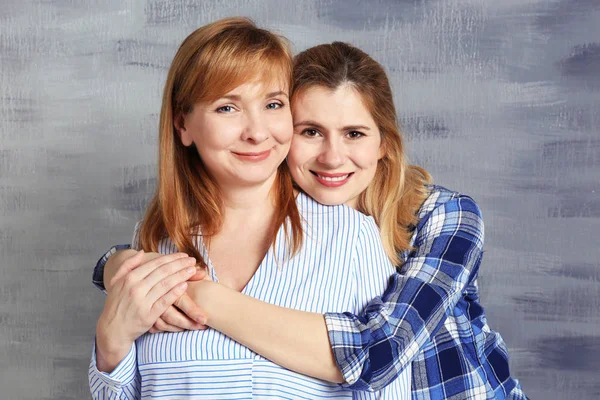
<point x="398" y="190"/>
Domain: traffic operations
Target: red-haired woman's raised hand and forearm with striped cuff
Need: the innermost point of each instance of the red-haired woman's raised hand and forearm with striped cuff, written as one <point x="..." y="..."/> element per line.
<point x="138" y="297"/>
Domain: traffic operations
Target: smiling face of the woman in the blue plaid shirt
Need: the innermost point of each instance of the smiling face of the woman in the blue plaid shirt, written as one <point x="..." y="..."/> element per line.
<point x="336" y="144"/>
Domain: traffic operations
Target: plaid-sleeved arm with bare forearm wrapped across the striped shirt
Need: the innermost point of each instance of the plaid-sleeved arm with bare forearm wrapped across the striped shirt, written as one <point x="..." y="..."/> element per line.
<point x="371" y="349"/>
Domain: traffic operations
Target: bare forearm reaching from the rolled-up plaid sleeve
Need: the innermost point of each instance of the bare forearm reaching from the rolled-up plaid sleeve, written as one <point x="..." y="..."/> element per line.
<point x="296" y="340"/>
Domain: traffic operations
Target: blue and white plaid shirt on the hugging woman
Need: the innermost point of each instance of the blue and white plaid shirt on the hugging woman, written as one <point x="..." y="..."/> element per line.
<point x="428" y="318"/>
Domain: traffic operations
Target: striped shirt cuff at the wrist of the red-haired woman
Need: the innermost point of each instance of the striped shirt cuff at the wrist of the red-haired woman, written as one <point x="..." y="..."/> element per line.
<point x="123" y="383"/>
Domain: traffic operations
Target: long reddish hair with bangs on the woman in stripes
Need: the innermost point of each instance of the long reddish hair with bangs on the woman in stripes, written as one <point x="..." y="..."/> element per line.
<point x="210" y="62"/>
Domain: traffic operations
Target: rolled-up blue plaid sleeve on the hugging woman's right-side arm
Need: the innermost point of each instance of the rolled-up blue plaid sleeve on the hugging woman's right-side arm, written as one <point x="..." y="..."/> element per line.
<point x="373" y="348"/>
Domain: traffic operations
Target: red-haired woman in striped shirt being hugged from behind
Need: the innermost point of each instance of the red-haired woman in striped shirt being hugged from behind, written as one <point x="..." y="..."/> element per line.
<point x="225" y="128"/>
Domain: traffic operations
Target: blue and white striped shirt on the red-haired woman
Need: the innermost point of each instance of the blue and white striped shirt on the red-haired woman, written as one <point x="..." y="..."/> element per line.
<point x="327" y="275"/>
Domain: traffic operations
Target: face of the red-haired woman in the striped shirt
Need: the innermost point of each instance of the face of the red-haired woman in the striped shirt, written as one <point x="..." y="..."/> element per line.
<point x="243" y="136"/>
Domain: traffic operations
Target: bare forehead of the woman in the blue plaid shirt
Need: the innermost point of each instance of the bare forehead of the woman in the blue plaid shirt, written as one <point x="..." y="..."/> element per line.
<point x="342" y="106"/>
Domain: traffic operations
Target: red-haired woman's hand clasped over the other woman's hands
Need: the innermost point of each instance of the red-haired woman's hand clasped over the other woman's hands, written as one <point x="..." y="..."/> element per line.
<point x="139" y="296"/>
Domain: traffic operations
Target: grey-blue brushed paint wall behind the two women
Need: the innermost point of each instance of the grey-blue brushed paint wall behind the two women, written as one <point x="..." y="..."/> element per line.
<point x="499" y="99"/>
